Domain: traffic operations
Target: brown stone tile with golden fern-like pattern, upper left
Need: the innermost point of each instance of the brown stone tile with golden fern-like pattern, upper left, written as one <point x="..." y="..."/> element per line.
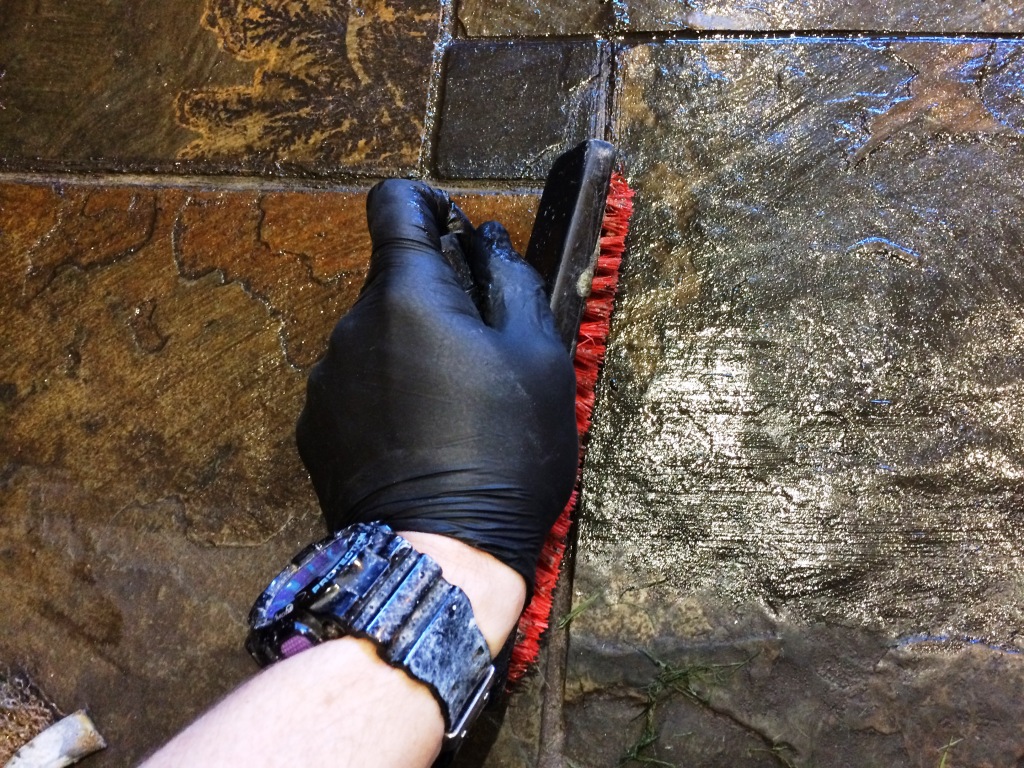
<point x="279" y="88"/>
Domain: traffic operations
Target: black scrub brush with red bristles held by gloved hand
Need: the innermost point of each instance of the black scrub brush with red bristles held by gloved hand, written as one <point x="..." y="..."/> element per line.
<point x="578" y="243"/>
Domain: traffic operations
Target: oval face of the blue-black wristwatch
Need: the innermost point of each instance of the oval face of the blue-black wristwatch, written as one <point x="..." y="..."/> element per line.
<point x="303" y="581"/>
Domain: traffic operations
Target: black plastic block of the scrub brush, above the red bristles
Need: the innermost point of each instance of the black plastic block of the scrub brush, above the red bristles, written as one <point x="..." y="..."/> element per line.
<point x="566" y="241"/>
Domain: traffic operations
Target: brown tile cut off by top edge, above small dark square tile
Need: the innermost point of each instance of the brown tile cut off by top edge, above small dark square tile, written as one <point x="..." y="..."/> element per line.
<point x="527" y="18"/>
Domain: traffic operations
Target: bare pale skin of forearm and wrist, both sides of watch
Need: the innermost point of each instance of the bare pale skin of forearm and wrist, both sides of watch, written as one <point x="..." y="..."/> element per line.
<point x="338" y="704"/>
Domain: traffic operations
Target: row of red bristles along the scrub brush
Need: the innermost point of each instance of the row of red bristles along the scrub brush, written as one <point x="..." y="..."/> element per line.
<point x="589" y="357"/>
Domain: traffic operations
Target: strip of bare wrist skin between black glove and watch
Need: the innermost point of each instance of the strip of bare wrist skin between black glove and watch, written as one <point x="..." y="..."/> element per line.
<point x="496" y="591"/>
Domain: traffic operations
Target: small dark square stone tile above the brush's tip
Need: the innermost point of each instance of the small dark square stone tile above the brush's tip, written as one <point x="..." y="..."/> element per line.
<point x="510" y="109"/>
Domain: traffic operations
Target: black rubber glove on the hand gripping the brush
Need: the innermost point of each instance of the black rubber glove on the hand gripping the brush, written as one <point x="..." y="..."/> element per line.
<point x="438" y="413"/>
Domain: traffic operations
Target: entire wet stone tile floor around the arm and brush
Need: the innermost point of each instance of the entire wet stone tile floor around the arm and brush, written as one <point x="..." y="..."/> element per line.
<point x="802" y="538"/>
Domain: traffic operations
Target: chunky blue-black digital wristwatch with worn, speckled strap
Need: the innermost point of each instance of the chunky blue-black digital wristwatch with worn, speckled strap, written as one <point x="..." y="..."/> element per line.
<point x="368" y="582"/>
